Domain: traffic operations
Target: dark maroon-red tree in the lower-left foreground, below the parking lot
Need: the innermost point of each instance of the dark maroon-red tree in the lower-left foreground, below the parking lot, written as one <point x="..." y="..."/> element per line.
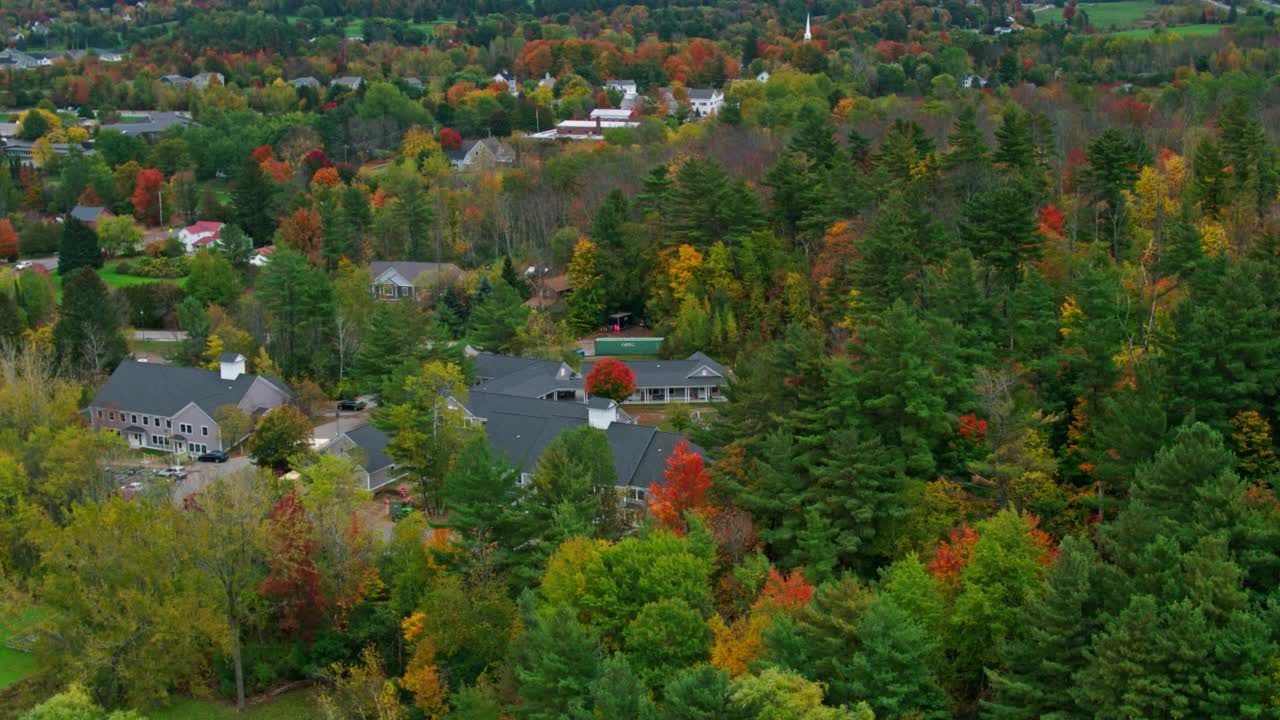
<point x="295" y="578"/>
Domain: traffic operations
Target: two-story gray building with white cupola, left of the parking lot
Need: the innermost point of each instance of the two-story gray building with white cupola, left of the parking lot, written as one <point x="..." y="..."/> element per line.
<point x="175" y="409"/>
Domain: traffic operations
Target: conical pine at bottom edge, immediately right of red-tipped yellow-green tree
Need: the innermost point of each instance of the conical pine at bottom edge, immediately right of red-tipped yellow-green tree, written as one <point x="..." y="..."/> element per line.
<point x="1060" y="626"/>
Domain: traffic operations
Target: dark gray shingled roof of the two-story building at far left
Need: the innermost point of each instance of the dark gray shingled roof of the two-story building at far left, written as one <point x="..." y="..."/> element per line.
<point x="164" y="390"/>
